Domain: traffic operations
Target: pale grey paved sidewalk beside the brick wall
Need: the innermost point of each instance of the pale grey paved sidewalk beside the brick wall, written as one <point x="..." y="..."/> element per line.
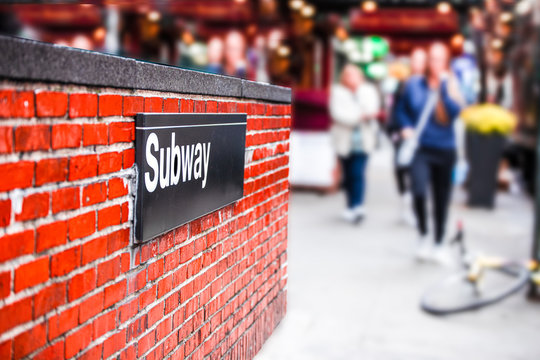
<point x="354" y="291"/>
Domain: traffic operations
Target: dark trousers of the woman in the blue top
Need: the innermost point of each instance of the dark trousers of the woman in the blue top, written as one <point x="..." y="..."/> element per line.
<point x="432" y="167"/>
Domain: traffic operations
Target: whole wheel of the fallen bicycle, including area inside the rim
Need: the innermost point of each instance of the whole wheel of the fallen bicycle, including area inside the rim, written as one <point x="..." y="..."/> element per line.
<point x="457" y="294"/>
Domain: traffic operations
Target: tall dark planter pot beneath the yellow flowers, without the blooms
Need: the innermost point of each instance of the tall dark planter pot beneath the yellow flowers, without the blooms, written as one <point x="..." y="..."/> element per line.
<point x="484" y="153"/>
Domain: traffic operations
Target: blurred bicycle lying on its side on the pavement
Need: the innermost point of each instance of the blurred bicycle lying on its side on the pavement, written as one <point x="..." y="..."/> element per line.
<point x="482" y="281"/>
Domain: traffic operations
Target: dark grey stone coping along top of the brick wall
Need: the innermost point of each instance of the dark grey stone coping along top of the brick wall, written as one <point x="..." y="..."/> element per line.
<point x="30" y="60"/>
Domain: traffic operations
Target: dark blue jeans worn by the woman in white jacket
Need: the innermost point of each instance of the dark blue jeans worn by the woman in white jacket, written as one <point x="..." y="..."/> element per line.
<point x="354" y="169"/>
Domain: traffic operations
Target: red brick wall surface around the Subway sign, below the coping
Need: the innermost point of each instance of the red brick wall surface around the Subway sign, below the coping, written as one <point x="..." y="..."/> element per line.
<point x="72" y="281"/>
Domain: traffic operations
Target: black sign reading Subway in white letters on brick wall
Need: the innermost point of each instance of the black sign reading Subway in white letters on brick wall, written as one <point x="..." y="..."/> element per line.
<point x="188" y="166"/>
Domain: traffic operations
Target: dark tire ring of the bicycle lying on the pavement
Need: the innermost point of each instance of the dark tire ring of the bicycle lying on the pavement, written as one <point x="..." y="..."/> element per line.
<point x="520" y="272"/>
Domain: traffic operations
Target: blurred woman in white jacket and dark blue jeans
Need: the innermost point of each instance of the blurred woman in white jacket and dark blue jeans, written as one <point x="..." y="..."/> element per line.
<point x="354" y="104"/>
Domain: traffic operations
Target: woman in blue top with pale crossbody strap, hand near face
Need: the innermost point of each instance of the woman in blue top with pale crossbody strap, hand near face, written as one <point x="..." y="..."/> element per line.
<point x="437" y="96"/>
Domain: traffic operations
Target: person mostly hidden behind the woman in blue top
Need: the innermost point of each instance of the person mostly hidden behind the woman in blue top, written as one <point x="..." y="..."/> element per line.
<point x="418" y="61"/>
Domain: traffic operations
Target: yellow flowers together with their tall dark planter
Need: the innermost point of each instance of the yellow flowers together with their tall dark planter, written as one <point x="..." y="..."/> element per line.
<point x="488" y="126"/>
